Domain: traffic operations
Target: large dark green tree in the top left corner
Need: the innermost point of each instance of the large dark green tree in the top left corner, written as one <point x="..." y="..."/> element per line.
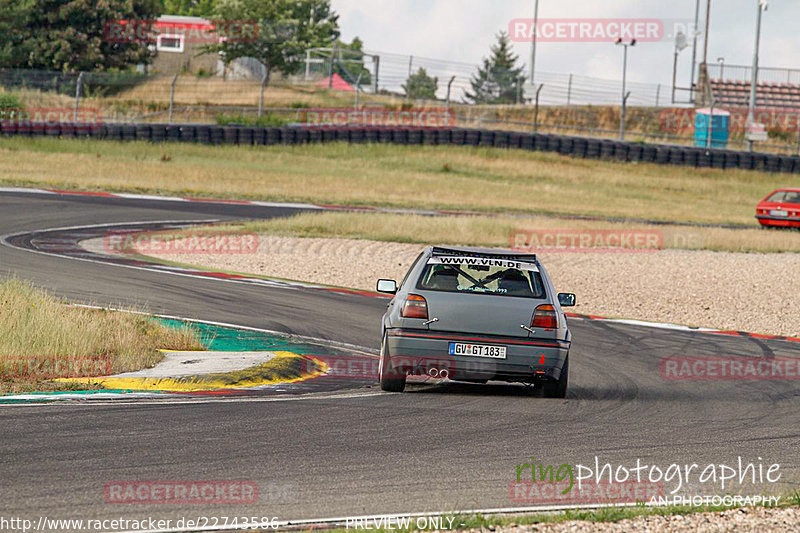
<point x="71" y="35"/>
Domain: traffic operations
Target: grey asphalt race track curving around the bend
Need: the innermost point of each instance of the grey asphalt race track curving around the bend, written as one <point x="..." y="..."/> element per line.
<point x="360" y="451"/>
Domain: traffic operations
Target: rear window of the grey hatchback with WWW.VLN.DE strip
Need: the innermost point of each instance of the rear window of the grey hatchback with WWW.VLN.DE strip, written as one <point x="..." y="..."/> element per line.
<point x="482" y="275"/>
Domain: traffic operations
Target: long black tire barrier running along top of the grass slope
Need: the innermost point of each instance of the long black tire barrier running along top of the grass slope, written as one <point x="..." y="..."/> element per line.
<point x="565" y="145"/>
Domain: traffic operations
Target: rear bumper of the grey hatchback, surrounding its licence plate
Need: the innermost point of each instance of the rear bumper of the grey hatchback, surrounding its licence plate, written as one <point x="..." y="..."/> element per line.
<point x="527" y="360"/>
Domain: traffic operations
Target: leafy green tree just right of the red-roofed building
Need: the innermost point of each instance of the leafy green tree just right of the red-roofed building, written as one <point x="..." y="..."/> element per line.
<point x="286" y="29"/>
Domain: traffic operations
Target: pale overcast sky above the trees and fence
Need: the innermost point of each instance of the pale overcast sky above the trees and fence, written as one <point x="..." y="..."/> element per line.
<point x="463" y="30"/>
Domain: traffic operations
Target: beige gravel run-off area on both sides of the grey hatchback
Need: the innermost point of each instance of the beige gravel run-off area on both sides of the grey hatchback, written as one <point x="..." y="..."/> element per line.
<point x="758" y="293"/>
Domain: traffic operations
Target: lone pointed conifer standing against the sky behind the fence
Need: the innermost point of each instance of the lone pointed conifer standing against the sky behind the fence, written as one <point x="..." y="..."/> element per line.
<point x="498" y="80"/>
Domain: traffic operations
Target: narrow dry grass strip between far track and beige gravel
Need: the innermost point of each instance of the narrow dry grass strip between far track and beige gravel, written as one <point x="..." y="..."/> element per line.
<point x="495" y="231"/>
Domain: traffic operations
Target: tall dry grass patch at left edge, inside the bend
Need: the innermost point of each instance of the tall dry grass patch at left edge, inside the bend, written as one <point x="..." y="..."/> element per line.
<point x="37" y="326"/>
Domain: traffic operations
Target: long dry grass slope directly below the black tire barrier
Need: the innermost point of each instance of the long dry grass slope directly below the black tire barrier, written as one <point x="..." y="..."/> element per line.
<point x="433" y="177"/>
